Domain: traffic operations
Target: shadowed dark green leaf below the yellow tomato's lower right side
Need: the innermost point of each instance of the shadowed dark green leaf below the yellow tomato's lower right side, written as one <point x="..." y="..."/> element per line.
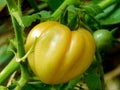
<point x="92" y="78"/>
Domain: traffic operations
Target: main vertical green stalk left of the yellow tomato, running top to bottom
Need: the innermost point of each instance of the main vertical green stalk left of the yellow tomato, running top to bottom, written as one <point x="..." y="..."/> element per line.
<point x="18" y="29"/>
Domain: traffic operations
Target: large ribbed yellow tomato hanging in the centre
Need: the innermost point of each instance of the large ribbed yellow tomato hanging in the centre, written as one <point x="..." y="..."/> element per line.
<point x="59" y="54"/>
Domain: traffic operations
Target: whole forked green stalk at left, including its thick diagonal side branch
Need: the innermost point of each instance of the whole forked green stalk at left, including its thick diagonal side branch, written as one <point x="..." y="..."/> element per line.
<point x="15" y="13"/>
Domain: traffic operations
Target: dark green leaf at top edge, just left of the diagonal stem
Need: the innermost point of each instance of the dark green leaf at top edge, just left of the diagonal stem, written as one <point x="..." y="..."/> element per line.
<point x="54" y="4"/>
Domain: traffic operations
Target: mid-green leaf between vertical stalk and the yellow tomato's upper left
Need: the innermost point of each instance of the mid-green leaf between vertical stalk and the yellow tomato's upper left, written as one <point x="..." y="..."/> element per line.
<point x="29" y="19"/>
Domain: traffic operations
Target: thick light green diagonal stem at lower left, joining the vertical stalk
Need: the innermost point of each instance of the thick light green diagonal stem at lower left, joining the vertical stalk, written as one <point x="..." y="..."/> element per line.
<point x="11" y="67"/>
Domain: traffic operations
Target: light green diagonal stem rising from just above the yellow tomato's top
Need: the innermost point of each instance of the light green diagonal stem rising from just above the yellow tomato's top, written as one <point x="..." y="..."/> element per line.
<point x="59" y="11"/>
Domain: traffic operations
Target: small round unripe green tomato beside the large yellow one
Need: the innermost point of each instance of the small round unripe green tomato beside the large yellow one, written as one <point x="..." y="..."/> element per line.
<point x="103" y="39"/>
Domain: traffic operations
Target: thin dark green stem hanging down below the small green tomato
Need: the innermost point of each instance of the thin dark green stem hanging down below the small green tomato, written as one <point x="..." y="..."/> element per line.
<point x="100" y="69"/>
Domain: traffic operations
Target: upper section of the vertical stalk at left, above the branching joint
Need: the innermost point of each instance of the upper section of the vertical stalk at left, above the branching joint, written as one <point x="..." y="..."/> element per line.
<point x="17" y="28"/>
